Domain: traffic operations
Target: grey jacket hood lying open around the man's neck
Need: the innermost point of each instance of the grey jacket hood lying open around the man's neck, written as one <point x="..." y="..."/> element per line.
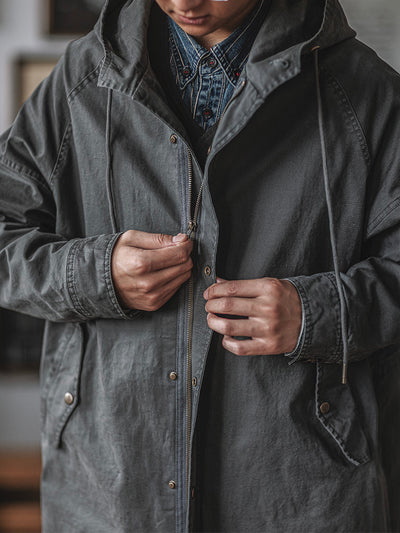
<point x="290" y="30"/>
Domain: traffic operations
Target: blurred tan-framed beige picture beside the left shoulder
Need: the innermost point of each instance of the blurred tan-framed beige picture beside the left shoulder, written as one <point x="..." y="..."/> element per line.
<point x="30" y="70"/>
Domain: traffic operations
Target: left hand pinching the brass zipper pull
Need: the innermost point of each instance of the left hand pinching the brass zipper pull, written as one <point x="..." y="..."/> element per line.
<point x="148" y="268"/>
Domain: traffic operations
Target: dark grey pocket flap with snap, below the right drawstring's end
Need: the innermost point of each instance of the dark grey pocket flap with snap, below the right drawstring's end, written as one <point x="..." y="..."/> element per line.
<point x="336" y="410"/>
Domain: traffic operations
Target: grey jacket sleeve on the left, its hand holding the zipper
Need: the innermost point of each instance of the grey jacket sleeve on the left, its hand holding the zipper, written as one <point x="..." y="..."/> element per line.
<point x="43" y="271"/>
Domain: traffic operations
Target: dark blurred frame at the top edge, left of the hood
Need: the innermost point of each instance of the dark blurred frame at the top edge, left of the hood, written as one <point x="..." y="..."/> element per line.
<point x="72" y="17"/>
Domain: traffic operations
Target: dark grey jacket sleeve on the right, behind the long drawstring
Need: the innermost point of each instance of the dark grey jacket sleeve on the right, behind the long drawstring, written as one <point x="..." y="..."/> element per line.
<point x="372" y="286"/>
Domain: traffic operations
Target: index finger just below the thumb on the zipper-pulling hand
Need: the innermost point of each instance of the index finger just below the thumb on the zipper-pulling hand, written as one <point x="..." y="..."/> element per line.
<point x="146" y="261"/>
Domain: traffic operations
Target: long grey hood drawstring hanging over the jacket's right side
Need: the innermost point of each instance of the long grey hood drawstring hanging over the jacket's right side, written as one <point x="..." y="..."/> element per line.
<point x="332" y="232"/>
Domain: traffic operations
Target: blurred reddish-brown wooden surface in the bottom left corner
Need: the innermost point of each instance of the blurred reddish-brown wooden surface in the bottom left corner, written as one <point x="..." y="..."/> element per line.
<point x="19" y="492"/>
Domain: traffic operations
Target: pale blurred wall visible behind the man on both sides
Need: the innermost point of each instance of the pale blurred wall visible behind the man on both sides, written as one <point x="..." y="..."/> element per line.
<point x="21" y="32"/>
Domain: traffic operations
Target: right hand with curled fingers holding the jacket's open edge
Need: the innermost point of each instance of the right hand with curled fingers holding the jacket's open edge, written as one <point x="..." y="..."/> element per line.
<point x="269" y="310"/>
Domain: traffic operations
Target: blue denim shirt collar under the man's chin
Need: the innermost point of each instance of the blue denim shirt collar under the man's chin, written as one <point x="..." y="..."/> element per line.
<point x="231" y="54"/>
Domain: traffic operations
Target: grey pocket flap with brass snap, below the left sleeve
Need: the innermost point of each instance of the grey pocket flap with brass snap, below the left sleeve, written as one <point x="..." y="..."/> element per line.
<point x="60" y="394"/>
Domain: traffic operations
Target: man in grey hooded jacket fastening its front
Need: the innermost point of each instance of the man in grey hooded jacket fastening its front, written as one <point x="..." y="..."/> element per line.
<point x="192" y="167"/>
